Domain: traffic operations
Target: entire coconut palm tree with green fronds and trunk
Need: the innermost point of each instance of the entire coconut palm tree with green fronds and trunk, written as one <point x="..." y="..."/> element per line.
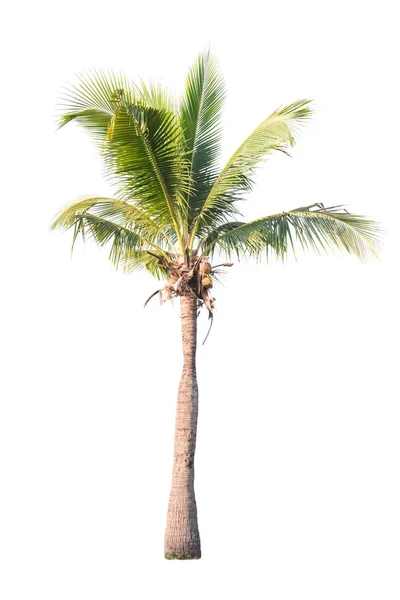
<point x="175" y="209"/>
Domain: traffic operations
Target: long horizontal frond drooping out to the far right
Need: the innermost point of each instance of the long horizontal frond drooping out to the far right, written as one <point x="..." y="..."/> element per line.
<point x="319" y="229"/>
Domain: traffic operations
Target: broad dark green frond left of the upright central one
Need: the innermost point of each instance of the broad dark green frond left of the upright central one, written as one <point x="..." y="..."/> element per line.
<point x="145" y="155"/>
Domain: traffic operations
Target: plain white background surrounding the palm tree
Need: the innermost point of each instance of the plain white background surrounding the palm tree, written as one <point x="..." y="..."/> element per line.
<point x="297" y="467"/>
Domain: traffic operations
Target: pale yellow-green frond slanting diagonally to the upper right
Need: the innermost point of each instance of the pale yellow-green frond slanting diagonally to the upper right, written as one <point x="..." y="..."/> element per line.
<point x="276" y="133"/>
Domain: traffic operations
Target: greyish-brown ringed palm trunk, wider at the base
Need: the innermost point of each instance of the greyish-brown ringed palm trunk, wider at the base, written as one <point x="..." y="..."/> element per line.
<point x="182" y="539"/>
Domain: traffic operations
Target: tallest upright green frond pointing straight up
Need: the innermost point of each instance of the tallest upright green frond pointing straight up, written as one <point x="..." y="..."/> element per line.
<point x="200" y="113"/>
